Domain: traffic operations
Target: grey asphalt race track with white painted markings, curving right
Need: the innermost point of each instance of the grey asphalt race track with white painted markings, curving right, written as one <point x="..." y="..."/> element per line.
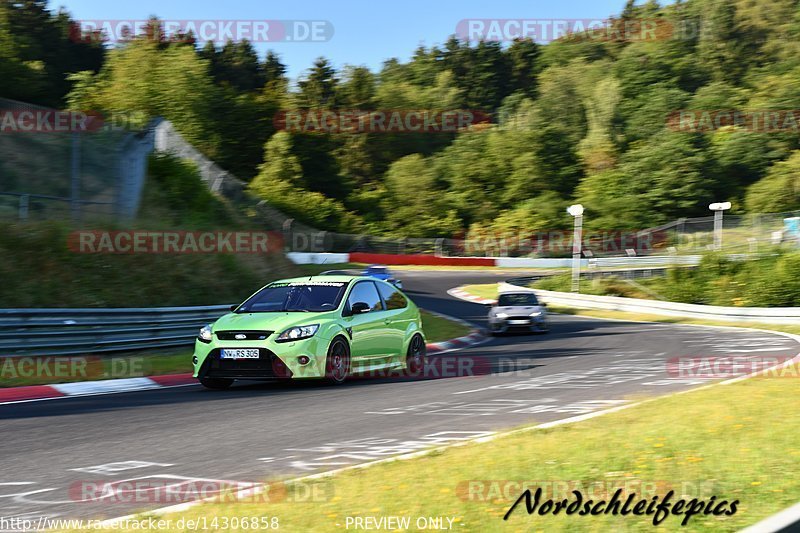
<point x="51" y="449"/>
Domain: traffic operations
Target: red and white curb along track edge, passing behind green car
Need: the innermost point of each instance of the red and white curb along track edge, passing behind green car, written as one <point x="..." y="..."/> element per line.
<point x="114" y="386"/>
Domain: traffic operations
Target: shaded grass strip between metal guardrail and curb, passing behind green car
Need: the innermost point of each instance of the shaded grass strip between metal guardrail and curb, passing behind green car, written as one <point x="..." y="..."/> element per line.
<point x="13" y="373"/>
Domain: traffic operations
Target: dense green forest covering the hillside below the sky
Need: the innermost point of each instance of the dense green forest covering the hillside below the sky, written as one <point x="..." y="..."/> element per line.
<point x="579" y="119"/>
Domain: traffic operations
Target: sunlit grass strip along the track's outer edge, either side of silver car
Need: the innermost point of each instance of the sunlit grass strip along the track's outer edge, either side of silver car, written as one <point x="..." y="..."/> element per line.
<point x="489" y="290"/>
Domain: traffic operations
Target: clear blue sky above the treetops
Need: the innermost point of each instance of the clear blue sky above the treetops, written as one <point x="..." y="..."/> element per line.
<point x="364" y="32"/>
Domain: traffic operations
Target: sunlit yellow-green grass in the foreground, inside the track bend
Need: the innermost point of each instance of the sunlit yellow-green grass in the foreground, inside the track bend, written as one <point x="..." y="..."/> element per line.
<point x="735" y="442"/>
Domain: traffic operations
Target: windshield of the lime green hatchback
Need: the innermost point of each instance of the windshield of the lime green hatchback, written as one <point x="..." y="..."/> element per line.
<point x="311" y="296"/>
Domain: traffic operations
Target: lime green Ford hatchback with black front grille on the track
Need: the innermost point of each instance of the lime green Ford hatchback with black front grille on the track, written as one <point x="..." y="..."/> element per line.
<point x="327" y="327"/>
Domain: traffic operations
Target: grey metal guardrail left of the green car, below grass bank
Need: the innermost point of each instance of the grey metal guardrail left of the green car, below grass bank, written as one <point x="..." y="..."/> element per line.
<point x="83" y="331"/>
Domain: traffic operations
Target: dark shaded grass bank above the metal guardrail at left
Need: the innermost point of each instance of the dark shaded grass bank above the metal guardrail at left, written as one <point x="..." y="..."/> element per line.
<point x="39" y="271"/>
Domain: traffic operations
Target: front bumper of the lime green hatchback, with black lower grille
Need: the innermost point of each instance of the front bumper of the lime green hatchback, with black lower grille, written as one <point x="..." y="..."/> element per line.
<point x="277" y="360"/>
